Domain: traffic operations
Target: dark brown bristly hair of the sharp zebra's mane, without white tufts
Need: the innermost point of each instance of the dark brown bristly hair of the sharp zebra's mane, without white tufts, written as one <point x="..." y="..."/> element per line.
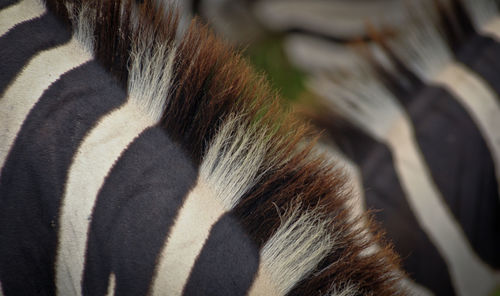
<point x="211" y="83"/>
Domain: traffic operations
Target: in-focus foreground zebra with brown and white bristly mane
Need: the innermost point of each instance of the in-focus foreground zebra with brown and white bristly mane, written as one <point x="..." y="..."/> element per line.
<point x="141" y="159"/>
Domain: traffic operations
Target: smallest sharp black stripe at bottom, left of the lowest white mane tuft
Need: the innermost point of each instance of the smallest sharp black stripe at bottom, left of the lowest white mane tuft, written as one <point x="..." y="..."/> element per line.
<point x="227" y="264"/>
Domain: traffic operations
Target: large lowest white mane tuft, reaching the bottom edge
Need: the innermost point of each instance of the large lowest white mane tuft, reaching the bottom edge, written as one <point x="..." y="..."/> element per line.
<point x="295" y="249"/>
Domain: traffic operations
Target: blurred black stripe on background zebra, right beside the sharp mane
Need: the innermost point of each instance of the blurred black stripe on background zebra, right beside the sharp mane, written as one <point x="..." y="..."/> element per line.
<point x="383" y="193"/>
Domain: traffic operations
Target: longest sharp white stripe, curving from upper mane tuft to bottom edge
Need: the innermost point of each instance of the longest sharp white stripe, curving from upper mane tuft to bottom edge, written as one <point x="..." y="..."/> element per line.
<point x="91" y="164"/>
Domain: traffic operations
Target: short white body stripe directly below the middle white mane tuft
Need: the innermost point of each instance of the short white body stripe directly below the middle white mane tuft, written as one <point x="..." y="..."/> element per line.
<point x="199" y="213"/>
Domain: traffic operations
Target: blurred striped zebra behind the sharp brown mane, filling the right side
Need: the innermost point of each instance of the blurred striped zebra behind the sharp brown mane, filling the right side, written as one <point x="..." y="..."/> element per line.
<point x="408" y="93"/>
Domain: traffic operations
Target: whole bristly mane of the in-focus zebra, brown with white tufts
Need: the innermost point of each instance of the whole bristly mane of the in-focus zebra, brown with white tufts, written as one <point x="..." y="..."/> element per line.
<point x="258" y="160"/>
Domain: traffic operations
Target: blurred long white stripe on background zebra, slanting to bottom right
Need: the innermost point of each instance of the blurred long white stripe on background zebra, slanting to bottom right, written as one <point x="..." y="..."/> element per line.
<point x="468" y="272"/>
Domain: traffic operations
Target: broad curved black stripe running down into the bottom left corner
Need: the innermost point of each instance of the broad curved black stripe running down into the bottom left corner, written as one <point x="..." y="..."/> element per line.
<point x="35" y="173"/>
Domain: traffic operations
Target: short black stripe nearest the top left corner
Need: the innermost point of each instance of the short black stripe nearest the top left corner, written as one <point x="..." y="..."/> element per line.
<point x="24" y="41"/>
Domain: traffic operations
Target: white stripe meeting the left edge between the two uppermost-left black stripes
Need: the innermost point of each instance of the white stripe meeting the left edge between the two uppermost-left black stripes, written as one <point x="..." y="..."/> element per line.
<point x="25" y="91"/>
